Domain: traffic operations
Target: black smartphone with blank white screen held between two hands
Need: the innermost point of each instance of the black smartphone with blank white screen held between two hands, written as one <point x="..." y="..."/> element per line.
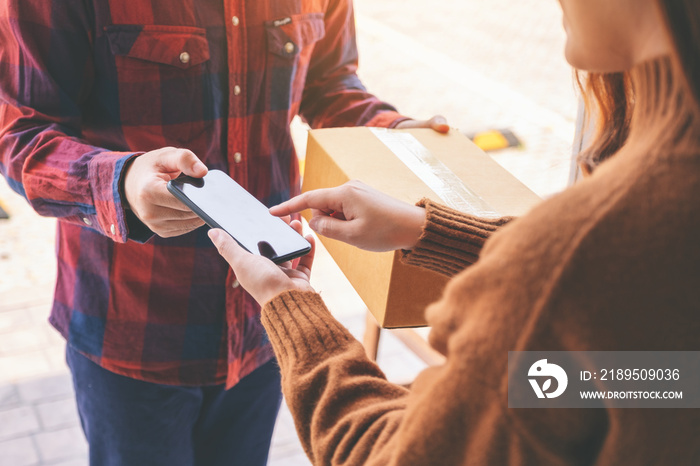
<point x="222" y="203"/>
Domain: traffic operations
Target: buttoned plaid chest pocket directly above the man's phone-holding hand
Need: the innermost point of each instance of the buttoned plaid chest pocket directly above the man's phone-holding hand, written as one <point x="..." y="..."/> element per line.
<point x="161" y="75"/>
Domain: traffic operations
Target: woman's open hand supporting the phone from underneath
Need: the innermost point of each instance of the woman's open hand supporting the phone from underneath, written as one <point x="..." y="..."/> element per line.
<point x="260" y="276"/>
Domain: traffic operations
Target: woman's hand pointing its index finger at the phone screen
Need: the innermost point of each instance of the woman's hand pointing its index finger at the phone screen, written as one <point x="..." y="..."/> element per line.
<point x="359" y="215"/>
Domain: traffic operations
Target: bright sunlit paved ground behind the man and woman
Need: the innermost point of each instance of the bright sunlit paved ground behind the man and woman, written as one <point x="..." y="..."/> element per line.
<point x="495" y="64"/>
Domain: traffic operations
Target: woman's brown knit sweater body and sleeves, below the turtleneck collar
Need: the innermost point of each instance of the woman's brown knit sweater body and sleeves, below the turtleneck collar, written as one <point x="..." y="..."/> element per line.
<point x="612" y="263"/>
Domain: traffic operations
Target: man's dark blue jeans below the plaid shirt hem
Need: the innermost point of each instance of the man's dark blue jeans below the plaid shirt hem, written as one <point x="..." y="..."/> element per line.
<point x="130" y="422"/>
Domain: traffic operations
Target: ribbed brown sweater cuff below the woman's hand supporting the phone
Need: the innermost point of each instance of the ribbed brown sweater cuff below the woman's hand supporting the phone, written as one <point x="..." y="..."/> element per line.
<point x="300" y="327"/>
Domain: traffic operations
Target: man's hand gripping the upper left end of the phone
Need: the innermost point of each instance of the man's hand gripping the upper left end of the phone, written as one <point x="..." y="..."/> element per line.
<point x="145" y="188"/>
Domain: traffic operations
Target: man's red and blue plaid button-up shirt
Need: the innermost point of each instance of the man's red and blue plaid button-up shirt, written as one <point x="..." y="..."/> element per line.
<point x="87" y="84"/>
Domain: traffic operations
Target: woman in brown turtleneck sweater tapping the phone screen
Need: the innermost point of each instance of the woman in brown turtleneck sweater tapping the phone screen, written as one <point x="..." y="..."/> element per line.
<point x="611" y="264"/>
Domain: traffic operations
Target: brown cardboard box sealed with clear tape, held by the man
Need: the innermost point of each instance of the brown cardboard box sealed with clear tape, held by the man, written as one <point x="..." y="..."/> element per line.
<point x="409" y="165"/>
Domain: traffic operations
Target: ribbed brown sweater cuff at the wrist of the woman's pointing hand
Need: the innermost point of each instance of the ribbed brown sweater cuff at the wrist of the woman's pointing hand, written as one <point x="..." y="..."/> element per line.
<point x="451" y="240"/>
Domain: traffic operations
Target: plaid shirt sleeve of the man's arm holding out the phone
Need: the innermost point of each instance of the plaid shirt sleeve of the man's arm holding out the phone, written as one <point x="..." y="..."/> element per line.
<point x="46" y="76"/>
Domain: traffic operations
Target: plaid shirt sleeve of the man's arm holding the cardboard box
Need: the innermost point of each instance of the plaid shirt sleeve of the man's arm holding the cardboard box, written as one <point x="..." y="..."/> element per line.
<point x="333" y="95"/>
